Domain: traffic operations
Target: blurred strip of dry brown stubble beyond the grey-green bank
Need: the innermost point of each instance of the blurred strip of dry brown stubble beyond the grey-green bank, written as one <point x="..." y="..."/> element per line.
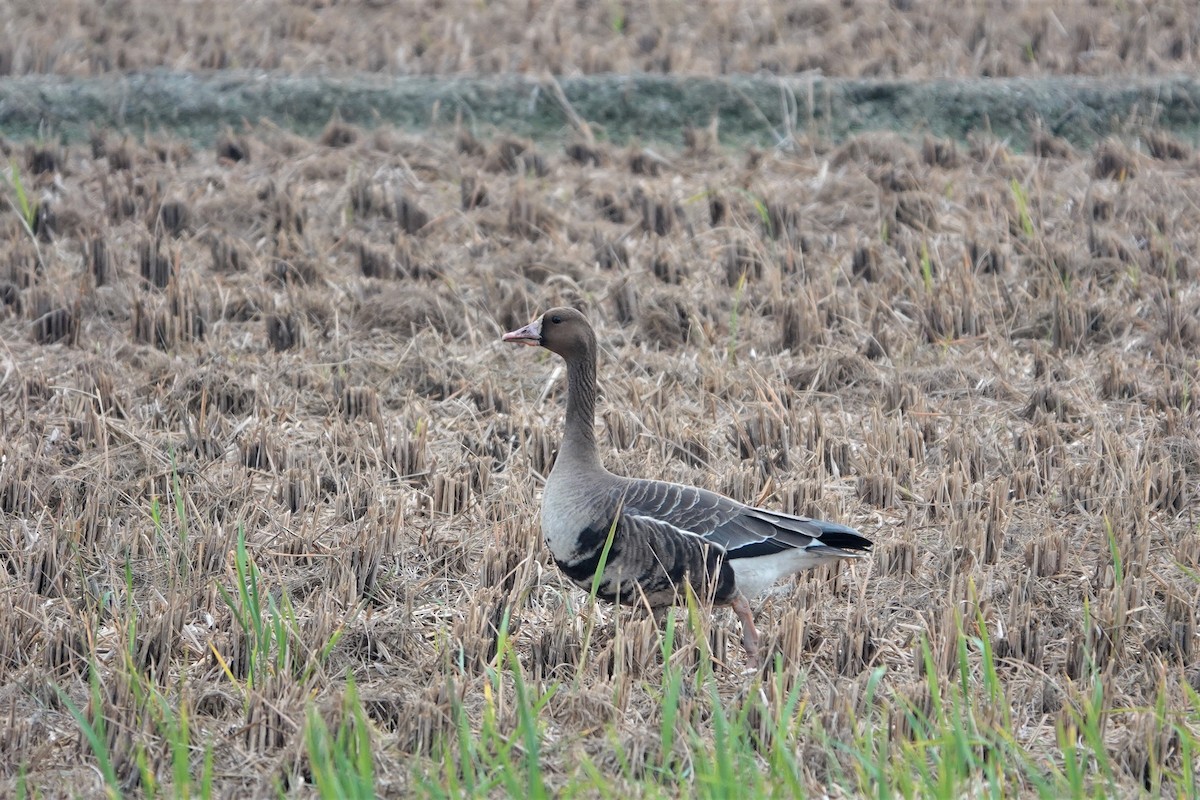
<point x="909" y="39"/>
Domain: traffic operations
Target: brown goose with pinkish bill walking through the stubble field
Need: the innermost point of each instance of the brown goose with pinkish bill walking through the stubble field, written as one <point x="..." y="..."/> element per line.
<point x="664" y="536"/>
